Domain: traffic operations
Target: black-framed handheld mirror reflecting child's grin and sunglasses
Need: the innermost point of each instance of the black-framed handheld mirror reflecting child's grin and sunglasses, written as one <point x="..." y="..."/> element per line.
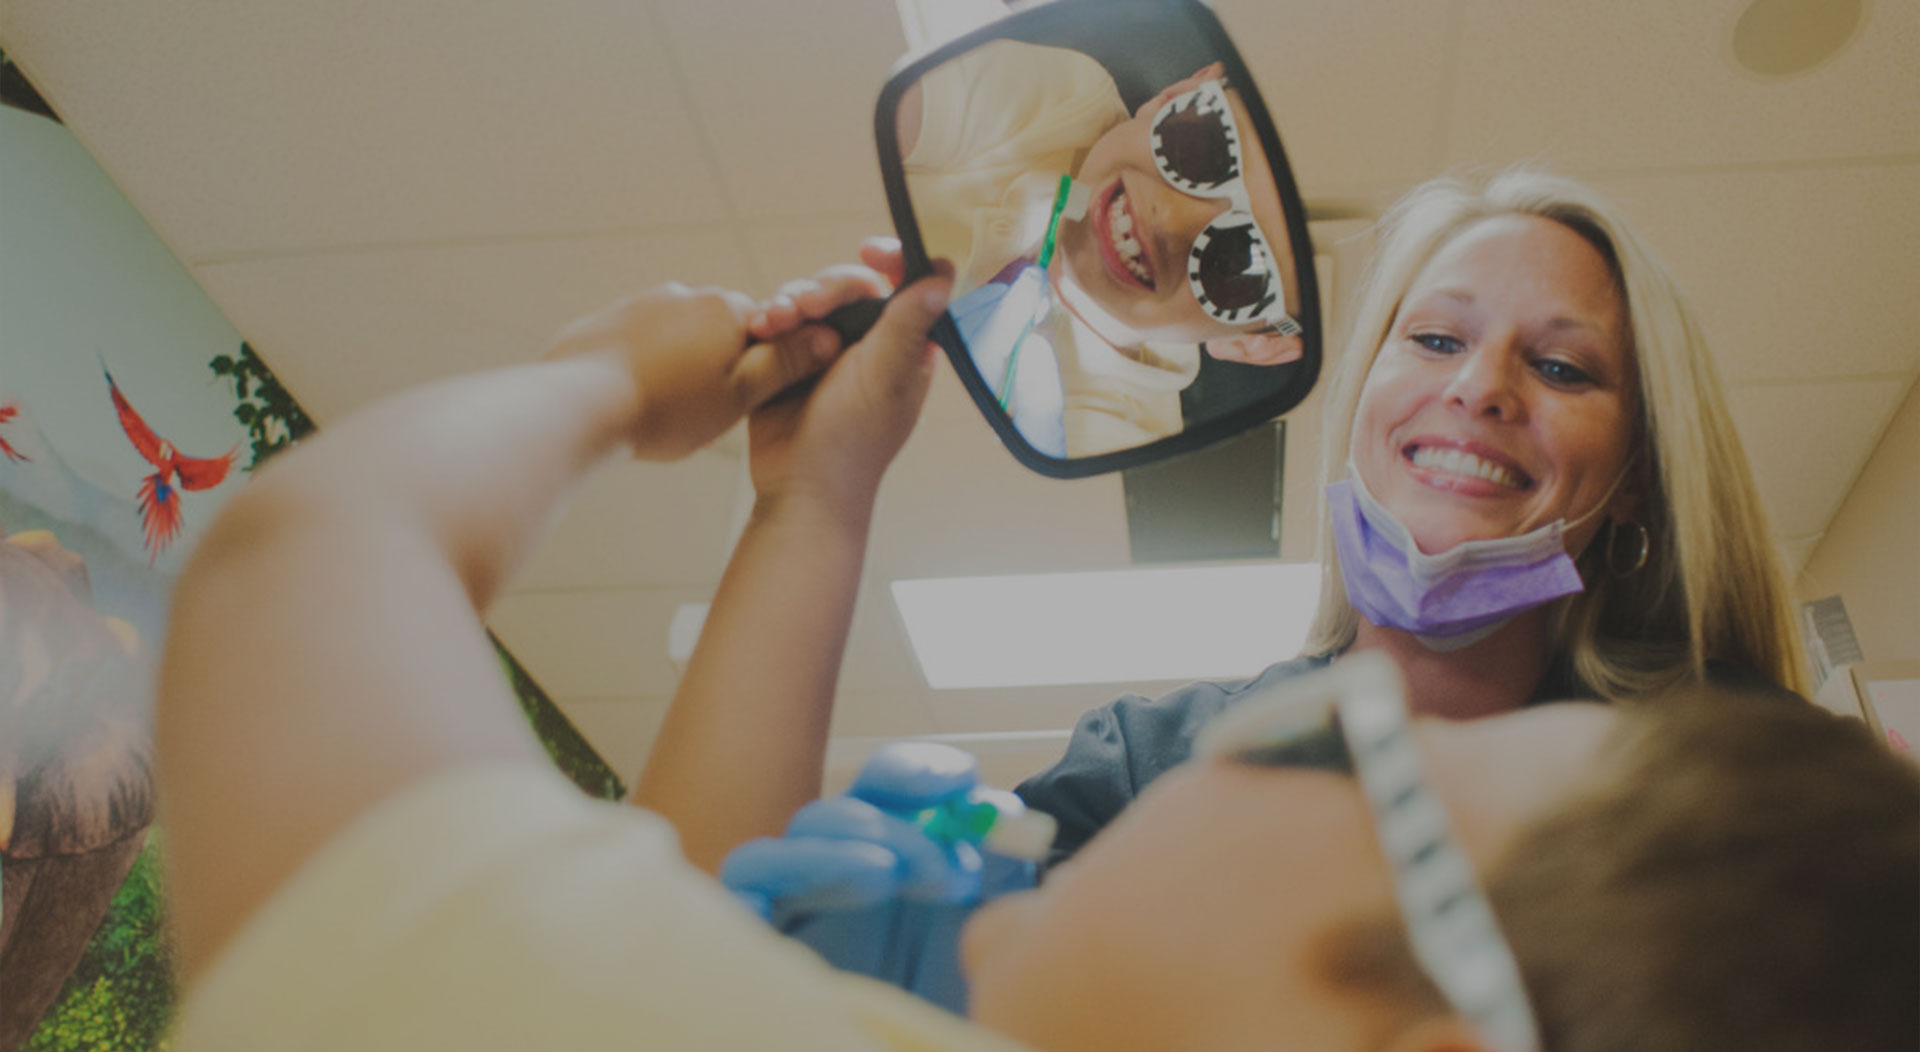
<point x="1134" y="274"/>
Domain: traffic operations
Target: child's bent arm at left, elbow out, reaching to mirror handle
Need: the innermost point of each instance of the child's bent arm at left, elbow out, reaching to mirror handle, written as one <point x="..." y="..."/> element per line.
<point x="325" y="646"/>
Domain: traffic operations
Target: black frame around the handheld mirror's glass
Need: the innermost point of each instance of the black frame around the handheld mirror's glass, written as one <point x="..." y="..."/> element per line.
<point x="1044" y="20"/>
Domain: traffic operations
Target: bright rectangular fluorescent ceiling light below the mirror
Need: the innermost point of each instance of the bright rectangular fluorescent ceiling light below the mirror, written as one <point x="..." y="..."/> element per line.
<point x="1111" y="627"/>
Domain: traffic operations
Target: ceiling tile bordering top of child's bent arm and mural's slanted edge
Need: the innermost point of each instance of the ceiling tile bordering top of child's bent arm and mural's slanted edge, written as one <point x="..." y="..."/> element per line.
<point x="343" y="329"/>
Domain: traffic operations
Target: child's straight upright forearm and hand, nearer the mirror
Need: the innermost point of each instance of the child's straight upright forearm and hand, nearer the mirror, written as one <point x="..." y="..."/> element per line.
<point x="746" y="736"/>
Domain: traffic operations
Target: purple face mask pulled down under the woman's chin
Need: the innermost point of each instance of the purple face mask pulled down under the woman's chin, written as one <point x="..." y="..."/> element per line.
<point x="1451" y="600"/>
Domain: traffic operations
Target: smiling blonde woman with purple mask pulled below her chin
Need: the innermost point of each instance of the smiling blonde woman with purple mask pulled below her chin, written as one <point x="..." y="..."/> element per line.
<point x="1531" y="404"/>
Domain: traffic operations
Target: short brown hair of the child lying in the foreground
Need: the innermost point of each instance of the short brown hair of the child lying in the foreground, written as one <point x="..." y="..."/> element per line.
<point x="1744" y="874"/>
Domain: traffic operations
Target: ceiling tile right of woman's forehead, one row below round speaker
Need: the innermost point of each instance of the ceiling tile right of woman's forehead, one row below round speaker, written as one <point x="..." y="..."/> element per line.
<point x="1800" y="274"/>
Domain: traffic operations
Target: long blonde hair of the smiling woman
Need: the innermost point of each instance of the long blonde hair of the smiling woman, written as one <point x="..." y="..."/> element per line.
<point x="1712" y="586"/>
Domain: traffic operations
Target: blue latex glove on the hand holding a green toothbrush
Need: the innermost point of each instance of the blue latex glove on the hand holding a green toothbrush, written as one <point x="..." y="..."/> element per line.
<point x="857" y="880"/>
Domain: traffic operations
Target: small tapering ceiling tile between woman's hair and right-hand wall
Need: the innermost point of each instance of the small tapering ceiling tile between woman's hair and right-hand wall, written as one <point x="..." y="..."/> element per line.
<point x="1808" y="442"/>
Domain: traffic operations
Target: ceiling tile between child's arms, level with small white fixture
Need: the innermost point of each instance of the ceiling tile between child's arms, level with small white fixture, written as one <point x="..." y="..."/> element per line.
<point x="594" y="644"/>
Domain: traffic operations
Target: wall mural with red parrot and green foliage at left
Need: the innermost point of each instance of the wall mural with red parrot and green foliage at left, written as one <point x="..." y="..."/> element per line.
<point x="128" y="418"/>
